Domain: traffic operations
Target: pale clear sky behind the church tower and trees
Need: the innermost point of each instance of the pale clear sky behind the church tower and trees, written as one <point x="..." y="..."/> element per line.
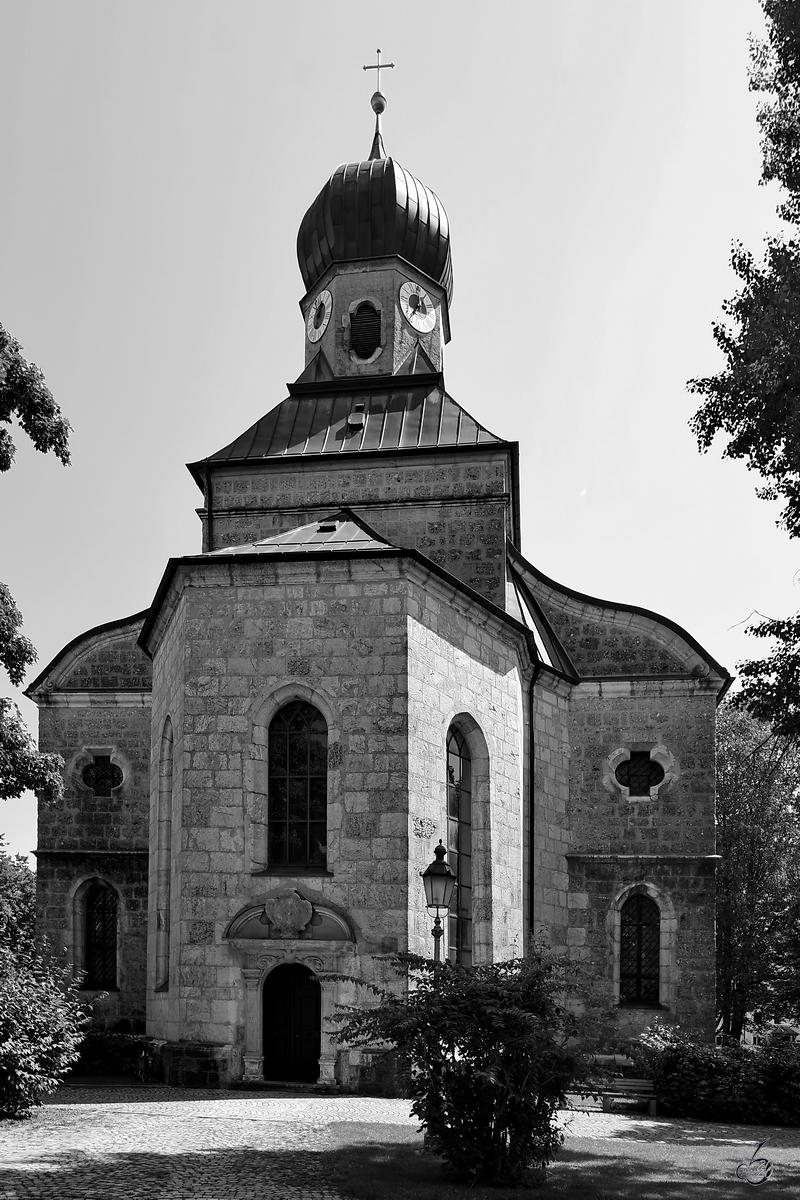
<point x="597" y="160"/>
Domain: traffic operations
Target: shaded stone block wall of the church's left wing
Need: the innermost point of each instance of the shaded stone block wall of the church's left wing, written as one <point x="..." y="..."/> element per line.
<point x="95" y="700"/>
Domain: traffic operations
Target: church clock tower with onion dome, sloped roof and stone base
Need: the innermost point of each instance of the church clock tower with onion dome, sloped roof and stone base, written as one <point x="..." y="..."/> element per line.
<point x="369" y="423"/>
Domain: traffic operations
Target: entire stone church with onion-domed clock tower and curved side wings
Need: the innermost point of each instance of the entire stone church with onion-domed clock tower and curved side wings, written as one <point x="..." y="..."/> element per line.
<point x="360" y="663"/>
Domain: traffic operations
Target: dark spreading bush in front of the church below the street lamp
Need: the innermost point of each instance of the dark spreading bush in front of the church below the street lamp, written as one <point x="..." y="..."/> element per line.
<point x="488" y="1059"/>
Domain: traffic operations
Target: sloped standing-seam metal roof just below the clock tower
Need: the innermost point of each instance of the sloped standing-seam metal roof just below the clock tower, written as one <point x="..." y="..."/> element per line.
<point x="408" y="418"/>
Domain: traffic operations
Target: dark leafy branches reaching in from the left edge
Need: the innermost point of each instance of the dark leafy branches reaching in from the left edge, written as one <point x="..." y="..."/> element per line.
<point x="25" y="398"/>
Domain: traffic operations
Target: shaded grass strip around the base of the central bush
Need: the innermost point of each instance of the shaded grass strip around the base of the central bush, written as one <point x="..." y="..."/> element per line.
<point x="388" y="1163"/>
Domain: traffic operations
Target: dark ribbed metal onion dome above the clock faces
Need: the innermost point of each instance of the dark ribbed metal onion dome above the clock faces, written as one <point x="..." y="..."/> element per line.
<point x="371" y="211"/>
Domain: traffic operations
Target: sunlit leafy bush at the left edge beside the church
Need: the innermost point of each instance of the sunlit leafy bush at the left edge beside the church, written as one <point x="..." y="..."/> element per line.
<point x="41" y="1023"/>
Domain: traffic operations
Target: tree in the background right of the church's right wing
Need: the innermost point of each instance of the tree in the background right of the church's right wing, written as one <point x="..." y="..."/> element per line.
<point x="759" y="880"/>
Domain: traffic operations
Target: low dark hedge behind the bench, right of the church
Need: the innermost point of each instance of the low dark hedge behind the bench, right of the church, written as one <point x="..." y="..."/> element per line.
<point x="727" y="1083"/>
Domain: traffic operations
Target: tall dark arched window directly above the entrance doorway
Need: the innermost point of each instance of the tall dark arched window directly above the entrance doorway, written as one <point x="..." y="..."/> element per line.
<point x="298" y="788"/>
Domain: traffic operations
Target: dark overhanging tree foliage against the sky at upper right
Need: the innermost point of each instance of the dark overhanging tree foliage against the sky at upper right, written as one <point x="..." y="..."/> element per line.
<point x="755" y="400"/>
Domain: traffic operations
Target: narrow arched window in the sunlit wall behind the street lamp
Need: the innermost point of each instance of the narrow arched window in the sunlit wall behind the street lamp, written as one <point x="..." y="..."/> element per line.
<point x="460" y="848"/>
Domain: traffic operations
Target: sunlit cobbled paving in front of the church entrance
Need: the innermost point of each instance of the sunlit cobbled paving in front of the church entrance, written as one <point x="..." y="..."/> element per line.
<point x="154" y="1143"/>
